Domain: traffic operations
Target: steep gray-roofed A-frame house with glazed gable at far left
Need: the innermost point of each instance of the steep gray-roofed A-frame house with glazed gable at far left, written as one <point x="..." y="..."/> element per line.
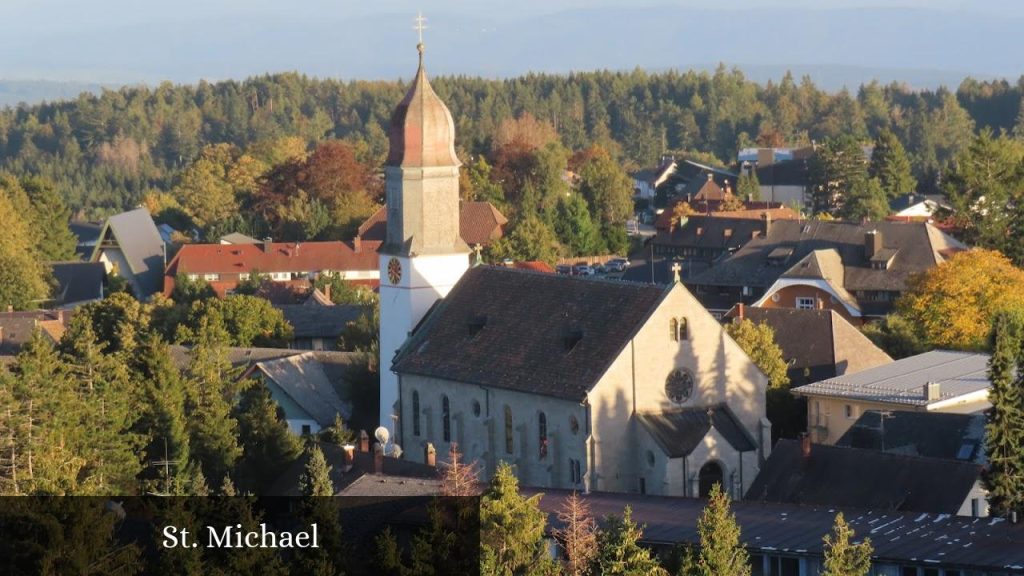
<point x="131" y="246"/>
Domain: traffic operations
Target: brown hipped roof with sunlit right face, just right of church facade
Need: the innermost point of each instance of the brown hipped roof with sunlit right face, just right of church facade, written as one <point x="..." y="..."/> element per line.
<point x="819" y="342"/>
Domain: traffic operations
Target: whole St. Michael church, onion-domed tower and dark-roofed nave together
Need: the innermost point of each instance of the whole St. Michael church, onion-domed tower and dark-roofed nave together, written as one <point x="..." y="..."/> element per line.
<point x="579" y="384"/>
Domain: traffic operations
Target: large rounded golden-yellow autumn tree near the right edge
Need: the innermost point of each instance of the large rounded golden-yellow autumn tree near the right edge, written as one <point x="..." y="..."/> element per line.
<point x="954" y="304"/>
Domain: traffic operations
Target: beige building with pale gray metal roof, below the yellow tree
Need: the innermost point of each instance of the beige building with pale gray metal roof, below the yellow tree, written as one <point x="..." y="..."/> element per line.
<point x="934" y="382"/>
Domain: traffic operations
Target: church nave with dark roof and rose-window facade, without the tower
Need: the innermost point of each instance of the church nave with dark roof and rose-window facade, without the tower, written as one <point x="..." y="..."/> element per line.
<point x="583" y="383"/>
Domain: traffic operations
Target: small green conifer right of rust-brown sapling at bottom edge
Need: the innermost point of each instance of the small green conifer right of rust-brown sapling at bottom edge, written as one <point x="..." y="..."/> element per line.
<point x="619" y="551"/>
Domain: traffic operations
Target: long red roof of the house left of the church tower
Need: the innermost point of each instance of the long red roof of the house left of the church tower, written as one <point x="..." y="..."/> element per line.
<point x="277" y="257"/>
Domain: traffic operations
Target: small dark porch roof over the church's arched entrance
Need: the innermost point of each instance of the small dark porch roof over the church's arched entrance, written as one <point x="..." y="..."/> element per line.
<point x="679" y="432"/>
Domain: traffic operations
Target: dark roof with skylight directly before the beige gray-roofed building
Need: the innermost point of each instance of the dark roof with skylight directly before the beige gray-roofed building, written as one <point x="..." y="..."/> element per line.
<point x="934" y="435"/>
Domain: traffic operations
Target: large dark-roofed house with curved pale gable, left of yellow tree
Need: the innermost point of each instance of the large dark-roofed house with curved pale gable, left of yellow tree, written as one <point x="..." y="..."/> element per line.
<point x="858" y="270"/>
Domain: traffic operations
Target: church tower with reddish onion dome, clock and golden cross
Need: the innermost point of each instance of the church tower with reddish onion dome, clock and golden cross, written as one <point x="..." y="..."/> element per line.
<point x="423" y="255"/>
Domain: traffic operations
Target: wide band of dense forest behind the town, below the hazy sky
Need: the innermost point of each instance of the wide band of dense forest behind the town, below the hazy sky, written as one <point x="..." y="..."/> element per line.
<point x="106" y="153"/>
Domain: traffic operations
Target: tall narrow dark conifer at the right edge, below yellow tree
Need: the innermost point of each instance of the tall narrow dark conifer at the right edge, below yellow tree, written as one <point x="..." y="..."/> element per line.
<point x="1004" y="478"/>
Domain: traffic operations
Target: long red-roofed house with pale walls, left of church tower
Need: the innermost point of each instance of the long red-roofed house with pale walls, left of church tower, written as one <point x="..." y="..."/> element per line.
<point x="224" y="266"/>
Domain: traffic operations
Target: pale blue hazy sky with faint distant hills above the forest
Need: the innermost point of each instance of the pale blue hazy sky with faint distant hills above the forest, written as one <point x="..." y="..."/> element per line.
<point x="184" y="40"/>
